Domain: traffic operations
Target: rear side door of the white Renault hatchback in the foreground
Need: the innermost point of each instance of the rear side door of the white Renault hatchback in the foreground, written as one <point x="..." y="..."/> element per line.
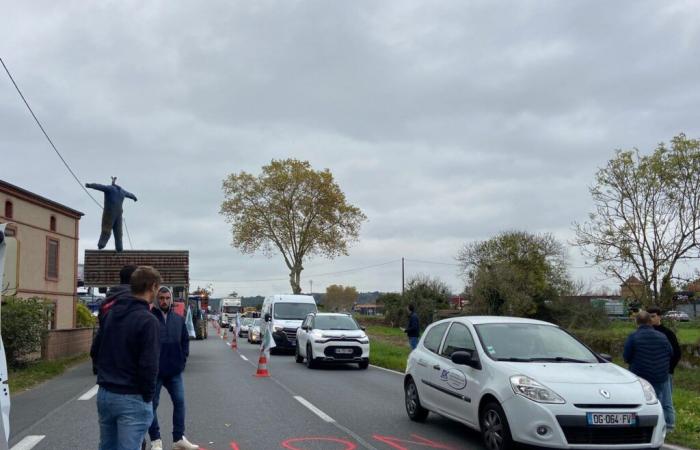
<point x="427" y="361"/>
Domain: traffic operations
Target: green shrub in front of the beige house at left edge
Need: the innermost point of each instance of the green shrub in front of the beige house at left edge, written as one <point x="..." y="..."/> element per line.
<point x="24" y="323"/>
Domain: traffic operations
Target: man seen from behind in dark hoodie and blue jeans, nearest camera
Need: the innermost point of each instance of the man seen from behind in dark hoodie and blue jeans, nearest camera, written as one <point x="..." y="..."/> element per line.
<point x="127" y="365"/>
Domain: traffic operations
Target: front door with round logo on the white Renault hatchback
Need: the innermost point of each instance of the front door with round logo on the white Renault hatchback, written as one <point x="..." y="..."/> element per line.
<point x="456" y="385"/>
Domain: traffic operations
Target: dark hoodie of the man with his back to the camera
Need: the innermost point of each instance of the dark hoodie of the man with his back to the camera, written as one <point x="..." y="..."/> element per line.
<point x="128" y="350"/>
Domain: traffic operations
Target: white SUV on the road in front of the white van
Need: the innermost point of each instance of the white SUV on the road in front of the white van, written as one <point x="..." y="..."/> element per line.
<point x="327" y="337"/>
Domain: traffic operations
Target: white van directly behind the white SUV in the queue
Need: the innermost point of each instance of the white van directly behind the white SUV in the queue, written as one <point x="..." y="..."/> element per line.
<point x="284" y="314"/>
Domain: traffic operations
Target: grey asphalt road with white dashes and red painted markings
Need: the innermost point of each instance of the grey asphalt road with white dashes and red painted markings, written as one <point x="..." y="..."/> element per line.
<point x="332" y="408"/>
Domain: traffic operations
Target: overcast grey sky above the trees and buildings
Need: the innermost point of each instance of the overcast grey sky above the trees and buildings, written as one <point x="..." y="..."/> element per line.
<point x="445" y="121"/>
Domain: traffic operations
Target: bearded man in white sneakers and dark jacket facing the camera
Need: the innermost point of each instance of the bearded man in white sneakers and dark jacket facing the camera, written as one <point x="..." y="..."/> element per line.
<point x="174" y="350"/>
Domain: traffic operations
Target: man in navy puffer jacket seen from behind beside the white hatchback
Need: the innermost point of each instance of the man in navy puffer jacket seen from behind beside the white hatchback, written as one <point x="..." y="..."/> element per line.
<point x="649" y="355"/>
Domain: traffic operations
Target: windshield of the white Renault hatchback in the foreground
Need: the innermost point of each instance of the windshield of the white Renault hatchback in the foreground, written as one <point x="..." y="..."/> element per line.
<point x="527" y="342"/>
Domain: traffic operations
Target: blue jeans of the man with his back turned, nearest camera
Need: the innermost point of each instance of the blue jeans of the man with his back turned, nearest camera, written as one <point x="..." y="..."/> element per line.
<point x="124" y="419"/>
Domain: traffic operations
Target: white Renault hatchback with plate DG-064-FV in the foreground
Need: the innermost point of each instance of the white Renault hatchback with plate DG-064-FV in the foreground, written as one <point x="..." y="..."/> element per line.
<point x="530" y="382"/>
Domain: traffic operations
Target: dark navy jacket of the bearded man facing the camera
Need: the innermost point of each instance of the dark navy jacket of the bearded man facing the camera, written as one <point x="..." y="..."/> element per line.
<point x="174" y="340"/>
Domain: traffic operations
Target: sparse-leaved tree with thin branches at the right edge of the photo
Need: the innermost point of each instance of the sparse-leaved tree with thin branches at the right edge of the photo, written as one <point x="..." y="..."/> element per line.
<point x="647" y="216"/>
